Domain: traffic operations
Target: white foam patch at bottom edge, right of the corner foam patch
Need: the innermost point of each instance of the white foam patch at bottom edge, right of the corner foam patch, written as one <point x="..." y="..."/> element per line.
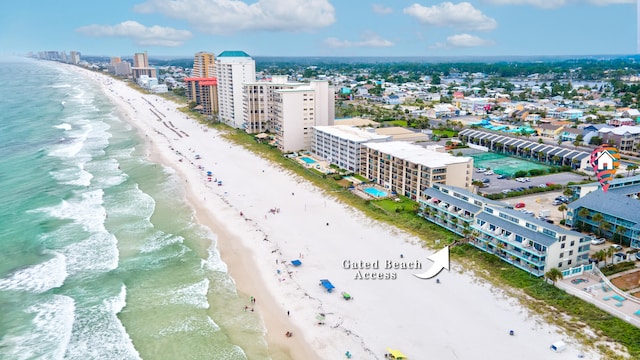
<point x="99" y="334"/>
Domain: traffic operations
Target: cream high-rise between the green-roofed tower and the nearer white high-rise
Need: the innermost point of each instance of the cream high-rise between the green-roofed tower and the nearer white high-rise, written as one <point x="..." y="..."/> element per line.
<point x="259" y="103"/>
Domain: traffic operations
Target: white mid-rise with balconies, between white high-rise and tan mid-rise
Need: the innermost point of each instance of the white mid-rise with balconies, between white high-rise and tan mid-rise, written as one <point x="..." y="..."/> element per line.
<point x="341" y="145"/>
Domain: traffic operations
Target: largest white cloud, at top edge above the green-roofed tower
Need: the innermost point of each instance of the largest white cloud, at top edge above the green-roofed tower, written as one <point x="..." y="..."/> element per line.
<point x="228" y="16"/>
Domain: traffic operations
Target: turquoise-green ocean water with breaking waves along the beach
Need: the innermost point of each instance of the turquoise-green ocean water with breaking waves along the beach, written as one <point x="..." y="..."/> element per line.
<point x="100" y="257"/>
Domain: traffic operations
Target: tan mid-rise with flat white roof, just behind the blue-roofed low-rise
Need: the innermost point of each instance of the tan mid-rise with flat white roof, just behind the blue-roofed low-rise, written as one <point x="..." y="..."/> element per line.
<point x="408" y="169"/>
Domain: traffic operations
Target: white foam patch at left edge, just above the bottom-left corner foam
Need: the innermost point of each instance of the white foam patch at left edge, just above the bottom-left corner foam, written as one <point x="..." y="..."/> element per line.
<point x="38" y="278"/>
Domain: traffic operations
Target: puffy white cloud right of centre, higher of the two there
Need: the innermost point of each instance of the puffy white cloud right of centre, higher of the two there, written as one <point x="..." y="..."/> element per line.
<point x="461" y="16"/>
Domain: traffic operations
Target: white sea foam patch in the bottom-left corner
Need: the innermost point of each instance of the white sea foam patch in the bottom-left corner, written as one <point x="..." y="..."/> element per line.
<point x="50" y="334"/>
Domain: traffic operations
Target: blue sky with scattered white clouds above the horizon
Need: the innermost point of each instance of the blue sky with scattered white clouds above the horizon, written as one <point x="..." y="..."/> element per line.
<point x="384" y="28"/>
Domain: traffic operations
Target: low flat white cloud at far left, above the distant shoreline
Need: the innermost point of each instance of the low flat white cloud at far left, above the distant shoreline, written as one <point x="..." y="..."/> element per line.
<point x="142" y="35"/>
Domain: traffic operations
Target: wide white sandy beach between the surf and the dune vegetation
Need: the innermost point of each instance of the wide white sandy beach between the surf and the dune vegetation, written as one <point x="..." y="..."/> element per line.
<point x="265" y="217"/>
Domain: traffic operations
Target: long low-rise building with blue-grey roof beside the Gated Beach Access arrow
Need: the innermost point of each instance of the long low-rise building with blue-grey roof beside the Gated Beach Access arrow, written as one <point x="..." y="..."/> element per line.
<point x="532" y="245"/>
